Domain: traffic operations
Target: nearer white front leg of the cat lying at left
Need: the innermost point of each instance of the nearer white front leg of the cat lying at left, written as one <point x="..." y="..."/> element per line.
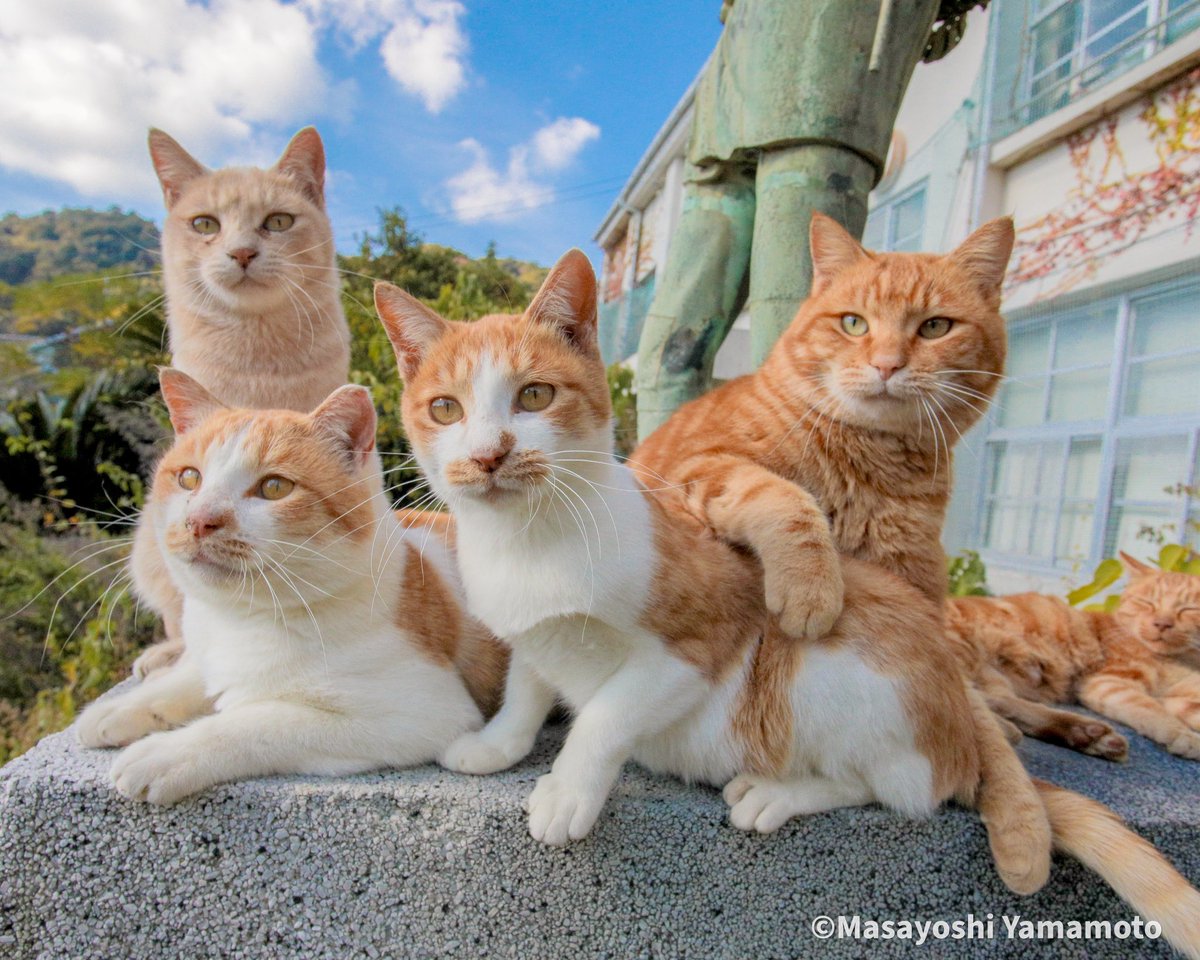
<point x="257" y="740"/>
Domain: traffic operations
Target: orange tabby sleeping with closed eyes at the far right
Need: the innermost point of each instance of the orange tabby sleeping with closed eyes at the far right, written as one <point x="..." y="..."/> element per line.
<point x="1136" y="667"/>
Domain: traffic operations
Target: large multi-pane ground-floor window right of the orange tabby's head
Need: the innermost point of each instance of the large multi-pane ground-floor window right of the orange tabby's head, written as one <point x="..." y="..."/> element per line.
<point x="1093" y="443"/>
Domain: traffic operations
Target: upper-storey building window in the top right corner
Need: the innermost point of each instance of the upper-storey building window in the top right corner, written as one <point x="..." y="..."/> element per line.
<point x="1077" y="45"/>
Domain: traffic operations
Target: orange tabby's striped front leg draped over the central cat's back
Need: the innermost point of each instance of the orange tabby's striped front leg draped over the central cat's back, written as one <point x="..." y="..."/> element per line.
<point x="784" y="525"/>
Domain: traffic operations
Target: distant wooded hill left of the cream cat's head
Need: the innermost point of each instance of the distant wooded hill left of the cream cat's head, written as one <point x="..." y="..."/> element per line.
<point x="61" y="243"/>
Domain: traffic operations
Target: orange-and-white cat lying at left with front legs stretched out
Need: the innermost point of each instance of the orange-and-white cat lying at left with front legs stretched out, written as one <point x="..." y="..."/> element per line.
<point x="319" y="632"/>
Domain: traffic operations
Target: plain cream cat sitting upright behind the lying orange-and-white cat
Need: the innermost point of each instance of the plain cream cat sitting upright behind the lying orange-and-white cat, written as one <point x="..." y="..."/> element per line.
<point x="254" y="302"/>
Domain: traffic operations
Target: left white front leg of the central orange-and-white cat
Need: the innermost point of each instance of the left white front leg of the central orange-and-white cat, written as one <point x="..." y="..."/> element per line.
<point x="509" y="736"/>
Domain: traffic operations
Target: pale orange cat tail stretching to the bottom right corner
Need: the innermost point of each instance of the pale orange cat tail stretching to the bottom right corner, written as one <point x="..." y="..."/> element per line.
<point x="1142" y="877"/>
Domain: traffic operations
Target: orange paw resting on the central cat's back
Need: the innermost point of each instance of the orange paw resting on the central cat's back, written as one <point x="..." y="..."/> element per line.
<point x="806" y="592"/>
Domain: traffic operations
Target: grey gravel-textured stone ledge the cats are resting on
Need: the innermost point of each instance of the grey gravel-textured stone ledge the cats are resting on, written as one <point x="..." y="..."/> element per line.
<point x="425" y="863"/>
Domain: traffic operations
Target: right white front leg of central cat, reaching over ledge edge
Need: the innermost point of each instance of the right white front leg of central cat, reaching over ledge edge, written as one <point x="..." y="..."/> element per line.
<point x="650" y="693"/>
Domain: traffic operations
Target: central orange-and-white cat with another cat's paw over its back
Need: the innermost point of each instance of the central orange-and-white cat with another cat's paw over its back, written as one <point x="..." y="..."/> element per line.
<point x="619" y="601"/>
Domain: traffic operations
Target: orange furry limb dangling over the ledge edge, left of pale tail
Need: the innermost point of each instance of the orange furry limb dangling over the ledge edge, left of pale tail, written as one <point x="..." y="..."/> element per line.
<point x="1010" y="806"/>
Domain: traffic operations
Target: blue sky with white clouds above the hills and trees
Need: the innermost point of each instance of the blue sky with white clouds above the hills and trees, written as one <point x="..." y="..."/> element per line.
<point x="507" y="122"/>
